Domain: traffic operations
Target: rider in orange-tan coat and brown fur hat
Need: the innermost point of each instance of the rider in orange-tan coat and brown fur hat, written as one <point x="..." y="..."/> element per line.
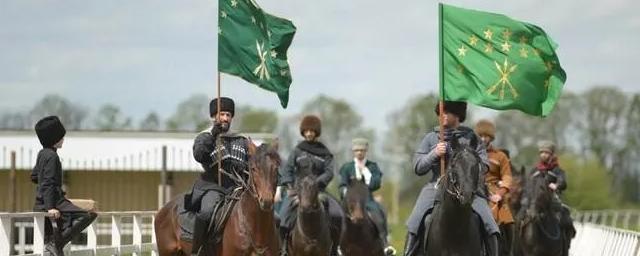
<point x="498" y="180"/>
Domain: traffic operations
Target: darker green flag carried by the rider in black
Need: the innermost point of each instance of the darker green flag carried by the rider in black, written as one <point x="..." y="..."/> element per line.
<point x="252" y="44"/>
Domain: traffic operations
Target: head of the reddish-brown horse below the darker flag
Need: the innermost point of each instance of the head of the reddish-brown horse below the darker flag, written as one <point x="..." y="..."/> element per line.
<point x="264" y="162"/>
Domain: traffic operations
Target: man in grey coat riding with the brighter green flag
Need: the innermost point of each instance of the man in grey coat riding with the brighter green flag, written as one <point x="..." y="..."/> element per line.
<point x="427" y="159"/>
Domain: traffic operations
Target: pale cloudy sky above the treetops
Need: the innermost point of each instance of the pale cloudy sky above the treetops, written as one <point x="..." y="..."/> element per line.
<point x="148" y="55"/>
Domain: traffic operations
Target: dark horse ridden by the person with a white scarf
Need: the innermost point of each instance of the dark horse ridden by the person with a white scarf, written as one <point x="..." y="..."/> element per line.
<point x="361" y="236"/>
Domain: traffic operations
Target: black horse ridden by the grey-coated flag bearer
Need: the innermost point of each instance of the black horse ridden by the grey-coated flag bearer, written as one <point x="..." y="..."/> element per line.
<point x="455" y="229"/>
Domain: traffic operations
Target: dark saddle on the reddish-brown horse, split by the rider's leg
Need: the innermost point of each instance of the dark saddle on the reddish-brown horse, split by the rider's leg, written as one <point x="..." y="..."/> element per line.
<point x="221" y="213"/>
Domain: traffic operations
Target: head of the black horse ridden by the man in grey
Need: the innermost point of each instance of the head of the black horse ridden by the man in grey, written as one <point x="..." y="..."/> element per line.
<point x="463" y="173"/>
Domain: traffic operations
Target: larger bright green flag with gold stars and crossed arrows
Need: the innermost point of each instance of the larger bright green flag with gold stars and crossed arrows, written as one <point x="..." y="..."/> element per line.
<point x="494" y="61"/>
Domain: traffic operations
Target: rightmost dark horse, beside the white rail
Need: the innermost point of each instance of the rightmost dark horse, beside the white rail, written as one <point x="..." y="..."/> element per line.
<point x="540" y="232"/>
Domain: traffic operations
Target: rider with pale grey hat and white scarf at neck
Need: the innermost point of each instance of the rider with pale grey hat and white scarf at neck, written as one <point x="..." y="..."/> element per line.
<point x="363" y="169"/>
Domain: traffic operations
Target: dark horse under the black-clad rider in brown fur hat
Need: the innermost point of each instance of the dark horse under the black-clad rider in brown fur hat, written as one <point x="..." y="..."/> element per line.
<point x="311" y="234"/>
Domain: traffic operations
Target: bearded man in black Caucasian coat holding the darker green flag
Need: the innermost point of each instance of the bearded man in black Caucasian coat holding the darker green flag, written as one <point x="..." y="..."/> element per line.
<point x="231" y="151"/>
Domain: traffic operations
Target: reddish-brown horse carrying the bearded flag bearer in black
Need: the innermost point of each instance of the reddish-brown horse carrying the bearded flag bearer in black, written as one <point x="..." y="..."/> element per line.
<point x="250" y="229"/>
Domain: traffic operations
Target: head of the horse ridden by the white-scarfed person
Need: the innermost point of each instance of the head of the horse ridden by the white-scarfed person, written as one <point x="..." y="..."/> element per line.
<point x="355" y="200"/>
